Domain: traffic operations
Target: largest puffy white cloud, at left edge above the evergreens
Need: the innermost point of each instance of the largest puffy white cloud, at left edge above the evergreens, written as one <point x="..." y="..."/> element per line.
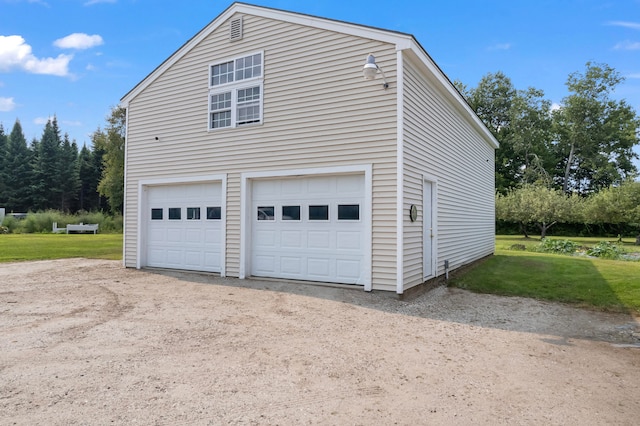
<point x="16" y="54"/>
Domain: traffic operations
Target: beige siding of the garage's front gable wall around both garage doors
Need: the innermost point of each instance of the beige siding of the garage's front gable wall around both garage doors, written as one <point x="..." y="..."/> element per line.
<point x="318" y="112"/>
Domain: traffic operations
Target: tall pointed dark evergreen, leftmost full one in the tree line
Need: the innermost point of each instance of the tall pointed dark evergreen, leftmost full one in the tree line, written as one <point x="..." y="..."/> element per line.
<point x="19" y="172"/>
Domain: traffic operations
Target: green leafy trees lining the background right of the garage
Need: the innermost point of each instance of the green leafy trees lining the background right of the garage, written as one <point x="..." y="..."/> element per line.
<point x="567" y="163"/>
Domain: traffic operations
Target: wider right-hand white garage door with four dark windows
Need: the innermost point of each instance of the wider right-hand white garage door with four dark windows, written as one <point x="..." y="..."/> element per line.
<point x="310" y="228"/>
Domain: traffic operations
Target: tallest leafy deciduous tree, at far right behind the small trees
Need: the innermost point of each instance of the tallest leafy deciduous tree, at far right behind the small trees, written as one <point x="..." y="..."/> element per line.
<point x="595" y="134"/>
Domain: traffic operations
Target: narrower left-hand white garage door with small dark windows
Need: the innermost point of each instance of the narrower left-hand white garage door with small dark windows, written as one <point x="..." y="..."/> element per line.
<point x="184" y="226"/>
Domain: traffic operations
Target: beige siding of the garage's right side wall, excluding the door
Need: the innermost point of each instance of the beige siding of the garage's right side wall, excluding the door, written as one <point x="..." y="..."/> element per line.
<point x="441" y="142"/>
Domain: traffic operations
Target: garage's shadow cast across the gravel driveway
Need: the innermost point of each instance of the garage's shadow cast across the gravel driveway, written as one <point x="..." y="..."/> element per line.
<point x="556" y="321"/>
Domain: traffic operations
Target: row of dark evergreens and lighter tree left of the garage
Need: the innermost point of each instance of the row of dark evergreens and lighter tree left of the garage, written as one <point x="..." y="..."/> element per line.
<point x="52" y="173"/>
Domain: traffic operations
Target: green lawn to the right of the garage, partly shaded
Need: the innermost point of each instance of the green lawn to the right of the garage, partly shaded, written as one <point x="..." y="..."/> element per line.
<point x="611" y="285"/>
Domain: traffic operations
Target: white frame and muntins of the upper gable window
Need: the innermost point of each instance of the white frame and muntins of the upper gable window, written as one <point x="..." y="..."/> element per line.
<point x="234" y="87"/>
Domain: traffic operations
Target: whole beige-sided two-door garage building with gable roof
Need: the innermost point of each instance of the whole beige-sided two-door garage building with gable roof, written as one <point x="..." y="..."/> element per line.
<point x="276" y="144"/>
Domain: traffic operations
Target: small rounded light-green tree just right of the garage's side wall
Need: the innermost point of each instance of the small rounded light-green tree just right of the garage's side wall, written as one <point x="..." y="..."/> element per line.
<point x="538" y="205"/>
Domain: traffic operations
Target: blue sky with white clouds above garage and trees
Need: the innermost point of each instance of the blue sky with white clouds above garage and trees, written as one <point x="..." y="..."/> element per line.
<point x="77" y="58"/>
